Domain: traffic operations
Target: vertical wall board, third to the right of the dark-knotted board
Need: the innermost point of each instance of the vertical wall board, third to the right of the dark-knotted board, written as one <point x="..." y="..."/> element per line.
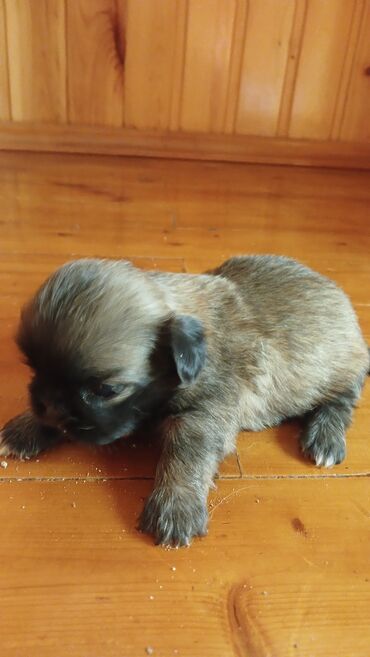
<point x="264" y="63"/>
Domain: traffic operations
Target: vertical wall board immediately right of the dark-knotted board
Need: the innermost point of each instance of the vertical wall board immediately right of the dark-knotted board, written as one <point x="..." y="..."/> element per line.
<point x="155" y="32"/>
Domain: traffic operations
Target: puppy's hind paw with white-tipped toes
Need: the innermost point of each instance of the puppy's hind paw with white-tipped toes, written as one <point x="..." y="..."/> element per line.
<point x="324" y="452"/>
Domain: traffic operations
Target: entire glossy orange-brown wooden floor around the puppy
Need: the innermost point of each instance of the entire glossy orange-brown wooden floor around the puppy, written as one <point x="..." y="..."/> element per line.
<point x="285" y="569"/>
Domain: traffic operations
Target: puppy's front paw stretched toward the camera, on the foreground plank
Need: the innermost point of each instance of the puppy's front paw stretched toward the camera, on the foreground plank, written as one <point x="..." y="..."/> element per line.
<point x="173" y="517"/>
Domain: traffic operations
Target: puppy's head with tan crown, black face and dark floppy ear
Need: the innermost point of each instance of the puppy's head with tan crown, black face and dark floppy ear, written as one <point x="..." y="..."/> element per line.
<point x="105" y="350"/>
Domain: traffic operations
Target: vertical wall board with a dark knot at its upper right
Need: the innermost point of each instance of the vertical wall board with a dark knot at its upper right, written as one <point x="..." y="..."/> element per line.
<point x="95" y="32"/>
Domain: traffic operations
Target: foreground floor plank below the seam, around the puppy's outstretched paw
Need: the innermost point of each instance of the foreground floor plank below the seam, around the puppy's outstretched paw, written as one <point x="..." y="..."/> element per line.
<point x="278" y="583"/>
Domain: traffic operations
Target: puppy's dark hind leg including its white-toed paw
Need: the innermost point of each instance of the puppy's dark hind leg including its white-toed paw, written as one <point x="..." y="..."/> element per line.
<point x="323" y="438"/>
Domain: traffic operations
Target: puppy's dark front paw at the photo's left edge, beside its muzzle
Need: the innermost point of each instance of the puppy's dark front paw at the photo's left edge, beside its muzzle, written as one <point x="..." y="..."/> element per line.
<point x="23" y="437"/>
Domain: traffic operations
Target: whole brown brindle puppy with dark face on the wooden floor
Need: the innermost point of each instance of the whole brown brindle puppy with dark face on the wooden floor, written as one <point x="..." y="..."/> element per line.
<point x="258" y="340"/>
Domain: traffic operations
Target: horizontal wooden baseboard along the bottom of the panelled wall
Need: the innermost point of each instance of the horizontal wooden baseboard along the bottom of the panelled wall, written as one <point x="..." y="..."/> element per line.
<point x="212" y="147"/>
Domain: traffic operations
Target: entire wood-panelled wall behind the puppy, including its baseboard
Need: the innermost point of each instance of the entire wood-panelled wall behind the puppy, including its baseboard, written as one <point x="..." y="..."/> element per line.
<point x="215" y="79"/>
